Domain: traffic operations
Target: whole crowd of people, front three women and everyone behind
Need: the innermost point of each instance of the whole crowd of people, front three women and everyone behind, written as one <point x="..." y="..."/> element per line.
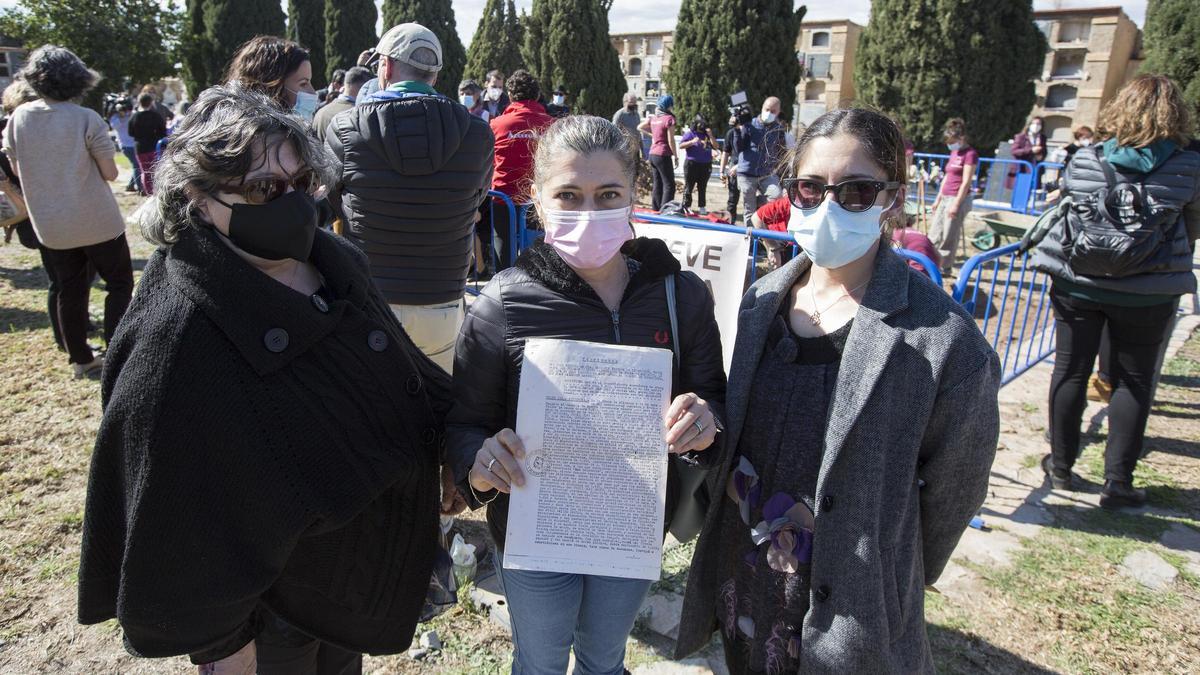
<point x="298" y="392"/>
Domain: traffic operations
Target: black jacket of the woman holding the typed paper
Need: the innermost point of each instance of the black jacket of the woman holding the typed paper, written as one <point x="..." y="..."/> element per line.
<point x="543" y="297"/>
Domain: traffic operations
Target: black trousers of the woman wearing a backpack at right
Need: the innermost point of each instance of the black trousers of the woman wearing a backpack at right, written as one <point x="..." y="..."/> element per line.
<point x="1136" y="336"/>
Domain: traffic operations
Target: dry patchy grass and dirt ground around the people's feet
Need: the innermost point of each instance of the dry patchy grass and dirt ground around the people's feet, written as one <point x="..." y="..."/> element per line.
<point x="1067" y="612"/>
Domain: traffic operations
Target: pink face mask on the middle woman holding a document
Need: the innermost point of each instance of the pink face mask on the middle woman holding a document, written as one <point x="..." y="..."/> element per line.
<point x="587" y="240"/>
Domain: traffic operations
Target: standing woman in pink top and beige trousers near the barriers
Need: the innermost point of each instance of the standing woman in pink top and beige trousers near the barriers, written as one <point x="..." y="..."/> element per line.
<point x="953" y="201"/>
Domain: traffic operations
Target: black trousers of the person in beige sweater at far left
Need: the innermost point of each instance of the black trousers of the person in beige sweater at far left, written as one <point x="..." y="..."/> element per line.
<point x="112" y="262"/>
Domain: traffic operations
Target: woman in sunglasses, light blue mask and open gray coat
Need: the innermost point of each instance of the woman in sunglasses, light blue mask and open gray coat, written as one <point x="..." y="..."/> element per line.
<point x="836" y="511"/>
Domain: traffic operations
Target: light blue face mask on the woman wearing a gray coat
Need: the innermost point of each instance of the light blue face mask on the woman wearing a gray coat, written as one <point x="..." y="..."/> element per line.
<point x="833" y="237"/>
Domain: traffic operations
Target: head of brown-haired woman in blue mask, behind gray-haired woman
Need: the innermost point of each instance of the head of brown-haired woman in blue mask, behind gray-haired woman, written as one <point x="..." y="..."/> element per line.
<point x="281" y="70"/>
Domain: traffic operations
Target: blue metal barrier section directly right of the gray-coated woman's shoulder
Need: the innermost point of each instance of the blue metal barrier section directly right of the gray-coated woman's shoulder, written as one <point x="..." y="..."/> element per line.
<point x="1011" y="302"/>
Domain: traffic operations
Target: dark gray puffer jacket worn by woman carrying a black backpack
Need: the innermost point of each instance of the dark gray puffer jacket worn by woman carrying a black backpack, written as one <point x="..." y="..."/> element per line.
<point x="1174" y="186"/>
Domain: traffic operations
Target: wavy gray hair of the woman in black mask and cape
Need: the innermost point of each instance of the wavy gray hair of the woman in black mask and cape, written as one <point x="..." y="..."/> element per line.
<point x="226" y="135"/>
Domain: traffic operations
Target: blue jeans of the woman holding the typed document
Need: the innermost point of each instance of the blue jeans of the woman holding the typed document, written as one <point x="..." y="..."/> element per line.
<point x="551" y="612"/>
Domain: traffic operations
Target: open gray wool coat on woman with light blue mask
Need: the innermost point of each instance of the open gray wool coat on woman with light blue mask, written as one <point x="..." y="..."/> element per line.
<point x="911" y="437"/>
